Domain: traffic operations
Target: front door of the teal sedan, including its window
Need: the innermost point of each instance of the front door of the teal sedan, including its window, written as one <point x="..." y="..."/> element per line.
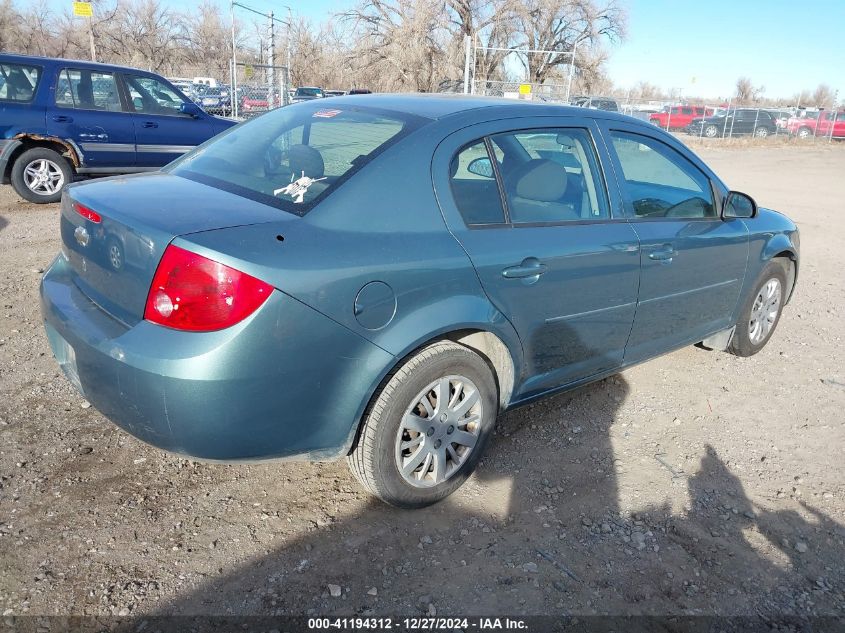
<point x="693" y="262"/>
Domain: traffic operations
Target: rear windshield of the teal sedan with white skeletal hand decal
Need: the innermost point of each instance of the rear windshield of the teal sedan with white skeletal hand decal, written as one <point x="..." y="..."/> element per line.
<point x="295" y="156"/>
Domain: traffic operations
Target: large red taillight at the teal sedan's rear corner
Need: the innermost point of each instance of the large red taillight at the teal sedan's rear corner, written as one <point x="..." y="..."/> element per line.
<point x="192" y="292"/>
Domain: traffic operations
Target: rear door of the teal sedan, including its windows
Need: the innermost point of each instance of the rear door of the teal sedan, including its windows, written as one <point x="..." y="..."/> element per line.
<point x="528" y="203"/>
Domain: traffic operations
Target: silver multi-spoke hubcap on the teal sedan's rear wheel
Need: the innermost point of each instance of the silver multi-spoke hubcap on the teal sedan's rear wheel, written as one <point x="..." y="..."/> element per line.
<point x="438" y="431"/>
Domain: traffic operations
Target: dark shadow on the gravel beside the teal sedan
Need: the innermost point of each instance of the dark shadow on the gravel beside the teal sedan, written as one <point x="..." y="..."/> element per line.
<point x="539" y="530"/>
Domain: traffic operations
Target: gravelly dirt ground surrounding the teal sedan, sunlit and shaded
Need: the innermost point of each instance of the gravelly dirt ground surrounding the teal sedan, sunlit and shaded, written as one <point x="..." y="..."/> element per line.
<point x="698" y="483"/>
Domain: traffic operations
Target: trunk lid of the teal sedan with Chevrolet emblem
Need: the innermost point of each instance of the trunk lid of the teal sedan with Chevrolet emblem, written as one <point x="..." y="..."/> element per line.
<point x="115" y="259"/>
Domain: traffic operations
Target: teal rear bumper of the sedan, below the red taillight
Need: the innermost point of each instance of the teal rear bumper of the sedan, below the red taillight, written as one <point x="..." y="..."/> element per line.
<point x="285" y="382"/>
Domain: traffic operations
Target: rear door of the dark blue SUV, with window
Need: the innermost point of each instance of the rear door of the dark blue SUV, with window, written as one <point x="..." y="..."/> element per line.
<point x="87" y="108"/>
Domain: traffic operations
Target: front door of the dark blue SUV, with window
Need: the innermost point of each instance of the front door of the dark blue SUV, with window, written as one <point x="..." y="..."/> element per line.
<point x="162" y="132"/>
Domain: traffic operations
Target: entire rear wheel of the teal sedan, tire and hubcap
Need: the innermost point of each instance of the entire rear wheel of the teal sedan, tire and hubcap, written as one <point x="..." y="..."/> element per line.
<point x="385" y="441"/>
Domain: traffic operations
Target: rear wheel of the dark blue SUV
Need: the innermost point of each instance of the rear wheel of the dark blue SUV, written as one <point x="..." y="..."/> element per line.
<point x="40" y="174"/>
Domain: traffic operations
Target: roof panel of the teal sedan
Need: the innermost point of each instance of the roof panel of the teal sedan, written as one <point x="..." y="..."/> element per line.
<point x="441" y="105"/>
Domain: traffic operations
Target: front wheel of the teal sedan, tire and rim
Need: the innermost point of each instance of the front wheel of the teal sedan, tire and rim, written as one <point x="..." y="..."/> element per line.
<point x="759" y="317"/>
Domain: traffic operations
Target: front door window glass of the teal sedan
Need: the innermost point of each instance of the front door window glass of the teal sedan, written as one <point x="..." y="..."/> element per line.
<point x="660" y="181"/>
